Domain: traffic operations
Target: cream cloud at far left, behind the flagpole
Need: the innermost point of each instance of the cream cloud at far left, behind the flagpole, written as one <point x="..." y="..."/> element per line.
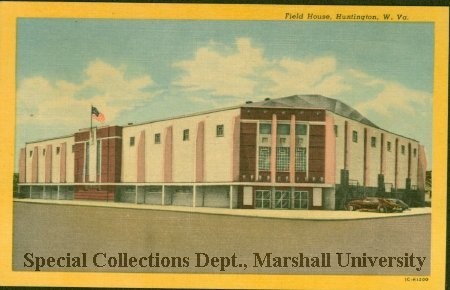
<point x="105" y="86"/>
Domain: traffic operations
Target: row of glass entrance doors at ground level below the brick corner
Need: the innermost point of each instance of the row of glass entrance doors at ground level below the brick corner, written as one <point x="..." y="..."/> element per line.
<point x="282" y="199"/>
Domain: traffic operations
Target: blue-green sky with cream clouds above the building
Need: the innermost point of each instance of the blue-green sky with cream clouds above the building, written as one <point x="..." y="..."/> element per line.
<point x="139" y="70"/>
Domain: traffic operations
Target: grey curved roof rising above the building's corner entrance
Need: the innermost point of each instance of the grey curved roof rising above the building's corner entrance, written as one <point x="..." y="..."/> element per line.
<point x="316" y="102"/>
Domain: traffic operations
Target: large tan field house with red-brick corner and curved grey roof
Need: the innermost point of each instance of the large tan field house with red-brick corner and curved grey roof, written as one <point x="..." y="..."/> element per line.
<point x="298" y="152"/>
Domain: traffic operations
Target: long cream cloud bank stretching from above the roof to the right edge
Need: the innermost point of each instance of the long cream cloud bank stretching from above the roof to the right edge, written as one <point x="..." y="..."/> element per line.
<point x="244" y="72"/>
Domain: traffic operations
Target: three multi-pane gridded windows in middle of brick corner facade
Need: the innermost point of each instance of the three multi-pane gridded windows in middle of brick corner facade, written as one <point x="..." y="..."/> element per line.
<point x="282" y="158"/>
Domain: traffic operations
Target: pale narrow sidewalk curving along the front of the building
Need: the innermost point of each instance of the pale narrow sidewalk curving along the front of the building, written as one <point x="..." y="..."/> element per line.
<point x="263" y="213"/>
